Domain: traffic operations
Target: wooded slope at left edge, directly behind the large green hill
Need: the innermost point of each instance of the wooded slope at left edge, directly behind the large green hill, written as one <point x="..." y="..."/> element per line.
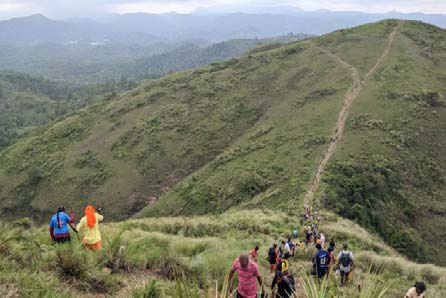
<point x="27" y="102"/>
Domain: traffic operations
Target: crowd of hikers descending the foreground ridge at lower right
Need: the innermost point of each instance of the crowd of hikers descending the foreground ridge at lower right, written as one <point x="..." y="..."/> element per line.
<point x="283" y="283"/>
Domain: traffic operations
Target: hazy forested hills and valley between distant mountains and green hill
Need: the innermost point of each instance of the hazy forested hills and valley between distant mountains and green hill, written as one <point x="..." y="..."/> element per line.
<point x="83" y="62"/>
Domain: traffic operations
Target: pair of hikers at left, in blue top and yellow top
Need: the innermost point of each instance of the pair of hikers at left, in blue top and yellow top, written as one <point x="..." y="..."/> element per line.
<point x="88" y="227"/>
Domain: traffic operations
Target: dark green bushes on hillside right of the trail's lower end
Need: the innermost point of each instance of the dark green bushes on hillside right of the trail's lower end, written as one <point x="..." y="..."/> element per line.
<point x="361" y="191"/>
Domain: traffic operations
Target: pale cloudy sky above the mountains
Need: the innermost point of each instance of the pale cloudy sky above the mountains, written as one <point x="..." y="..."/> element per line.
<point x="80" y="8"/>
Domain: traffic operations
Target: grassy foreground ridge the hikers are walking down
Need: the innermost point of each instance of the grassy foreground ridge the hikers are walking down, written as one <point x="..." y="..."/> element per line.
<point x="159" y="256"/>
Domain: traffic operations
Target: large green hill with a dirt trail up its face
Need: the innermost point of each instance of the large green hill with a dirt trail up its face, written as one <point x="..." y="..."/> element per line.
<point x="252" y="131"/>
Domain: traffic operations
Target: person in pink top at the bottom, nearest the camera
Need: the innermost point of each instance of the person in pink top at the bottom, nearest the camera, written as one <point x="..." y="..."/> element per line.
<point x="248" y="276"/>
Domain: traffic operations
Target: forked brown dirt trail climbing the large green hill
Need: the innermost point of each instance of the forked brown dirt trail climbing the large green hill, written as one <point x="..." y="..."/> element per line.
<point x="352" y="93"/>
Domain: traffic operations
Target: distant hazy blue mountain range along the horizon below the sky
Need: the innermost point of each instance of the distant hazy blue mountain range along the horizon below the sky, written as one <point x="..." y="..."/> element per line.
<point x="144" y="28"/>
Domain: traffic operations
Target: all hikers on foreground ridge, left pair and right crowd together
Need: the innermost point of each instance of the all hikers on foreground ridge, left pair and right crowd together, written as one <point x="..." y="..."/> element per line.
<point x="283" y="283"/>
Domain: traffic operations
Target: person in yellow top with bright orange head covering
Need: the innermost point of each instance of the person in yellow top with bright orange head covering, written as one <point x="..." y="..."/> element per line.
<point x="89" y="227"/>
